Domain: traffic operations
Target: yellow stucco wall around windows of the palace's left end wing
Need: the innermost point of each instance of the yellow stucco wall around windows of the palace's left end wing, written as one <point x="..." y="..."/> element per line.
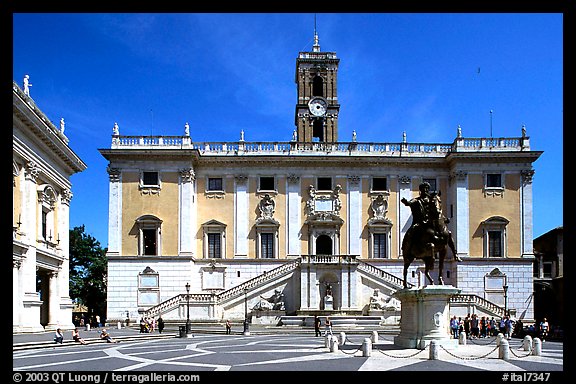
<point x="163" y="205"/>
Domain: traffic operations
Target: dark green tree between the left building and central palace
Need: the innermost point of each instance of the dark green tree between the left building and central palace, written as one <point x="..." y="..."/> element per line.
<point x="88" y="272"/>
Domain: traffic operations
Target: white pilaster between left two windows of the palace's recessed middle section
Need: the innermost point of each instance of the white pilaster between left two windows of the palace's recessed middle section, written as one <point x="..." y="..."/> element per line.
<point x="241" y="229"/>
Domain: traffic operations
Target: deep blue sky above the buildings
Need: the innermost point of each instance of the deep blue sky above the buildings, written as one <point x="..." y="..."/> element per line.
<point x="422" y="73"/>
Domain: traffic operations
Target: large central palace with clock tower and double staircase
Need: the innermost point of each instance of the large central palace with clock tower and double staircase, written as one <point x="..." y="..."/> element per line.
<point x="206" y="230"/>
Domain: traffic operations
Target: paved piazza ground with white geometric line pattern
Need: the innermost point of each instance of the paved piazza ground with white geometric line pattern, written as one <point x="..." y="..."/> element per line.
<point x="280" y="352"/>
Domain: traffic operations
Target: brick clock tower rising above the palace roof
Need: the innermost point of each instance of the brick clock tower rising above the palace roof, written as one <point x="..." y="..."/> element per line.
<point x="317" y="106"/>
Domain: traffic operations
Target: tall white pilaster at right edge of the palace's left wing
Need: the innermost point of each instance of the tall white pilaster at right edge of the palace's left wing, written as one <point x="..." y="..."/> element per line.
<point x="186" y="218"/>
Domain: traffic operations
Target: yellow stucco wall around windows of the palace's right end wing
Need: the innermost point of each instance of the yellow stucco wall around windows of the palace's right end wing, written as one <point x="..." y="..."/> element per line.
<point x="483" y="207"/>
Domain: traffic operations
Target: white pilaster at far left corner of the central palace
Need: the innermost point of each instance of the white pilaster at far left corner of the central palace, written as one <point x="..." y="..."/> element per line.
<point x="115" y="213"/>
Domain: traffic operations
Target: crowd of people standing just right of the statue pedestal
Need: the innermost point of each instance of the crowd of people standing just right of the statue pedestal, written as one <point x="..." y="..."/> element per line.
<point x="476" y="328"/>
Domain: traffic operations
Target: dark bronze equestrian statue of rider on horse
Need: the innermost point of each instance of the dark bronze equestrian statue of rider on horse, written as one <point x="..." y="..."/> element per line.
<point x="428" y="236"/>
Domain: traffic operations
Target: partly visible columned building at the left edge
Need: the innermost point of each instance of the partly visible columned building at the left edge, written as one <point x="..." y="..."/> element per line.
<point x="42" y="164"/>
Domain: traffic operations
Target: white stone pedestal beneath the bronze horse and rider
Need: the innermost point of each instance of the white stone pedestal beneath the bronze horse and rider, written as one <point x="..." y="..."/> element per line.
<point x="425" y="316"/>
